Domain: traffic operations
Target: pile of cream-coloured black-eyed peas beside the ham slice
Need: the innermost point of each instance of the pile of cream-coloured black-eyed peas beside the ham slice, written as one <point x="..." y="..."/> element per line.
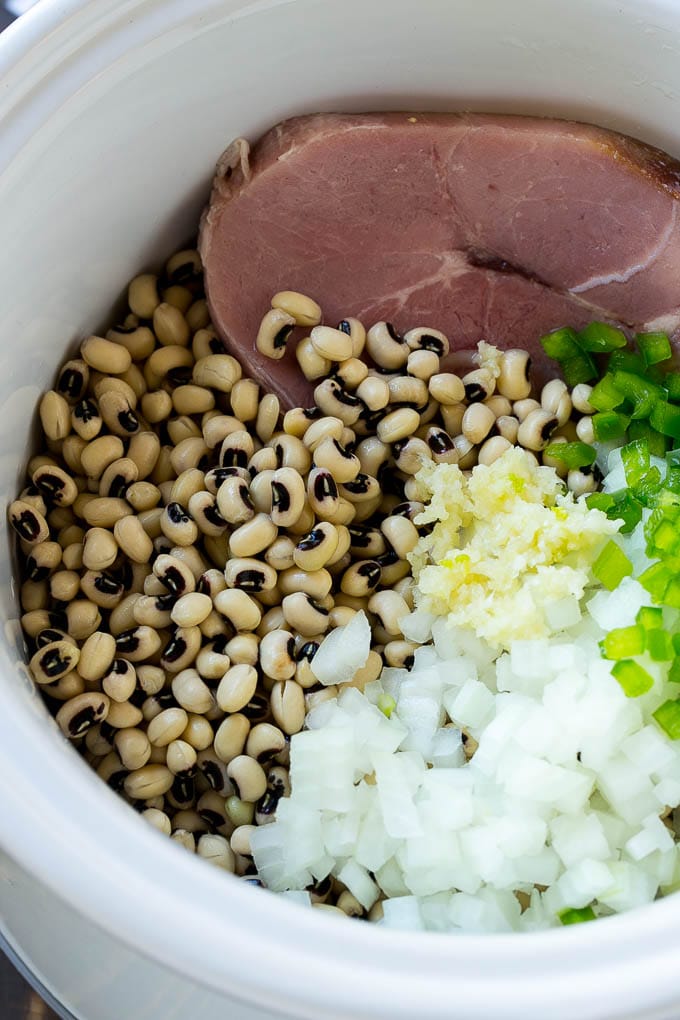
<point x="185" y="547"/>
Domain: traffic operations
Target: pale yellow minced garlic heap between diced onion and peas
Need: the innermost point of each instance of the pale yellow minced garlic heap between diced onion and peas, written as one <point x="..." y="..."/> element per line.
<point x="507" y="543"/>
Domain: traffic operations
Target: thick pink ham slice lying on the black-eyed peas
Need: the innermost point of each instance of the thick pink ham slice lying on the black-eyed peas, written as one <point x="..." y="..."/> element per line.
<point x="488" y="228"/>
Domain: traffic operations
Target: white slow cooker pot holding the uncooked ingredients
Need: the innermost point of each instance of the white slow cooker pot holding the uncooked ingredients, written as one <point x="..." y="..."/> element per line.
<point x="113" y="114"/>
